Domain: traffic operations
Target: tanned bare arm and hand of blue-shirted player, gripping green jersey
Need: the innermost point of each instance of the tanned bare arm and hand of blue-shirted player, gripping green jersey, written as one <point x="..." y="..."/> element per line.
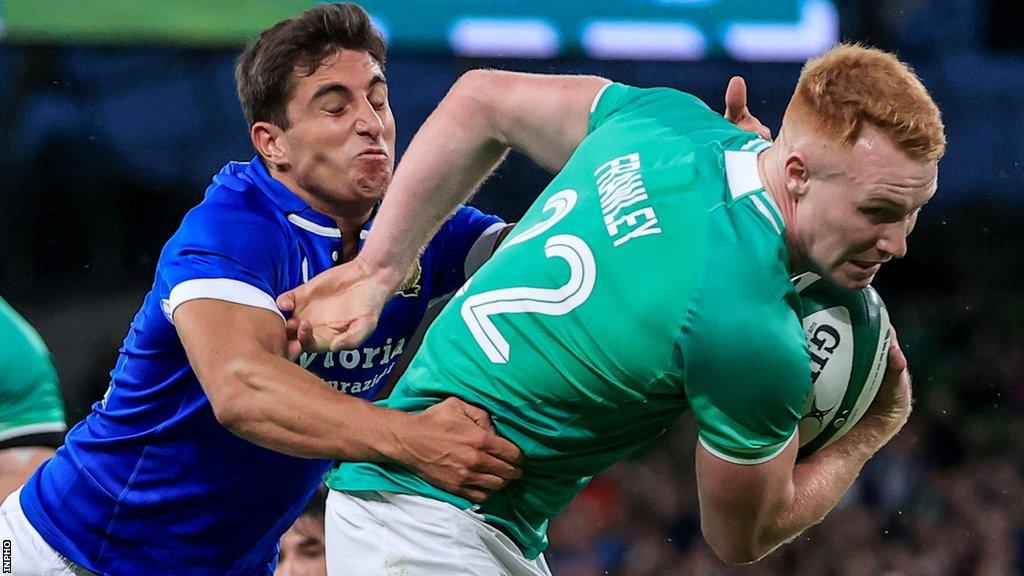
<point x="261" y="396"/>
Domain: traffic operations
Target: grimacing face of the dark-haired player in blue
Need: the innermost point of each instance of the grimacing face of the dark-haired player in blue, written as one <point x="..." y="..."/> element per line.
<point x="340" y="145"/>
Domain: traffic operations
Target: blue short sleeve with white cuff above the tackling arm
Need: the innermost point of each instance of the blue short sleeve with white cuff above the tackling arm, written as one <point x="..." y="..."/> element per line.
<point x="227" y="253"/>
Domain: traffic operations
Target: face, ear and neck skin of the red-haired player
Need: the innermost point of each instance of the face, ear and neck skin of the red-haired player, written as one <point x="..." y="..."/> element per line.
<point x="848" y="210"/>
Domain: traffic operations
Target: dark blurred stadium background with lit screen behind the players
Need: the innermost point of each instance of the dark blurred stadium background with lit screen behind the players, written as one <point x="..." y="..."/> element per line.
<point x="116" y="114"/>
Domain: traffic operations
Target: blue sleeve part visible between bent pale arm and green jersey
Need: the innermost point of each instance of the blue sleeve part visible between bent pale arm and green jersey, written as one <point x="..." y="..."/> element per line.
<point x="456" y="251"/>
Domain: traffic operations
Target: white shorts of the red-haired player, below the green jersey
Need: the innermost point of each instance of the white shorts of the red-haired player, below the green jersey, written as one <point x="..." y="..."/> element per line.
<point x="385" y="534"/>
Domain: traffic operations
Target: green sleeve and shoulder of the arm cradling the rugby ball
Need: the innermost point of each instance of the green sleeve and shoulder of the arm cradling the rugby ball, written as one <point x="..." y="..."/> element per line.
<point x="744" y="355"/>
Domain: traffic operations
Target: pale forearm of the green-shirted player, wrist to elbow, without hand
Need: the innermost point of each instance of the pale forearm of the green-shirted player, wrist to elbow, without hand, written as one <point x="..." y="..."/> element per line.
<point x="451" y="155"/>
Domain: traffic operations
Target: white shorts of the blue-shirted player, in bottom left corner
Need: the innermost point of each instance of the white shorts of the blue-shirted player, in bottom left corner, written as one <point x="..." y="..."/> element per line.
<point x="26" y="551"/>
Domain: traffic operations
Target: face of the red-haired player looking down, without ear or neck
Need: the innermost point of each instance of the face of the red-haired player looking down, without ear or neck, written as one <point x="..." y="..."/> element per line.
<point x="860" y="207"/>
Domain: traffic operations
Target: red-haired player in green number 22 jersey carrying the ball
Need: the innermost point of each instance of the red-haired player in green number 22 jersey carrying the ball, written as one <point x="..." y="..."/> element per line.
<point x="651" y="277"/>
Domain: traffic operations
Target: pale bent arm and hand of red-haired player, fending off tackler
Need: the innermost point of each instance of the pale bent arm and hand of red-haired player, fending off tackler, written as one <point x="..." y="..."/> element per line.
<point x="485" y="115"/>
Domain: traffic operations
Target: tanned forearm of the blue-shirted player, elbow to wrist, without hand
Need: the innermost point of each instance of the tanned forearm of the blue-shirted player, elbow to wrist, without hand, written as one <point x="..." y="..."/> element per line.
<point x="278" y="405"/>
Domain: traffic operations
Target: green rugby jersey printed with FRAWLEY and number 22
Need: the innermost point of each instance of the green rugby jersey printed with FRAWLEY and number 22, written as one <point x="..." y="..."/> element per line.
<point x="649" y="278"/>
